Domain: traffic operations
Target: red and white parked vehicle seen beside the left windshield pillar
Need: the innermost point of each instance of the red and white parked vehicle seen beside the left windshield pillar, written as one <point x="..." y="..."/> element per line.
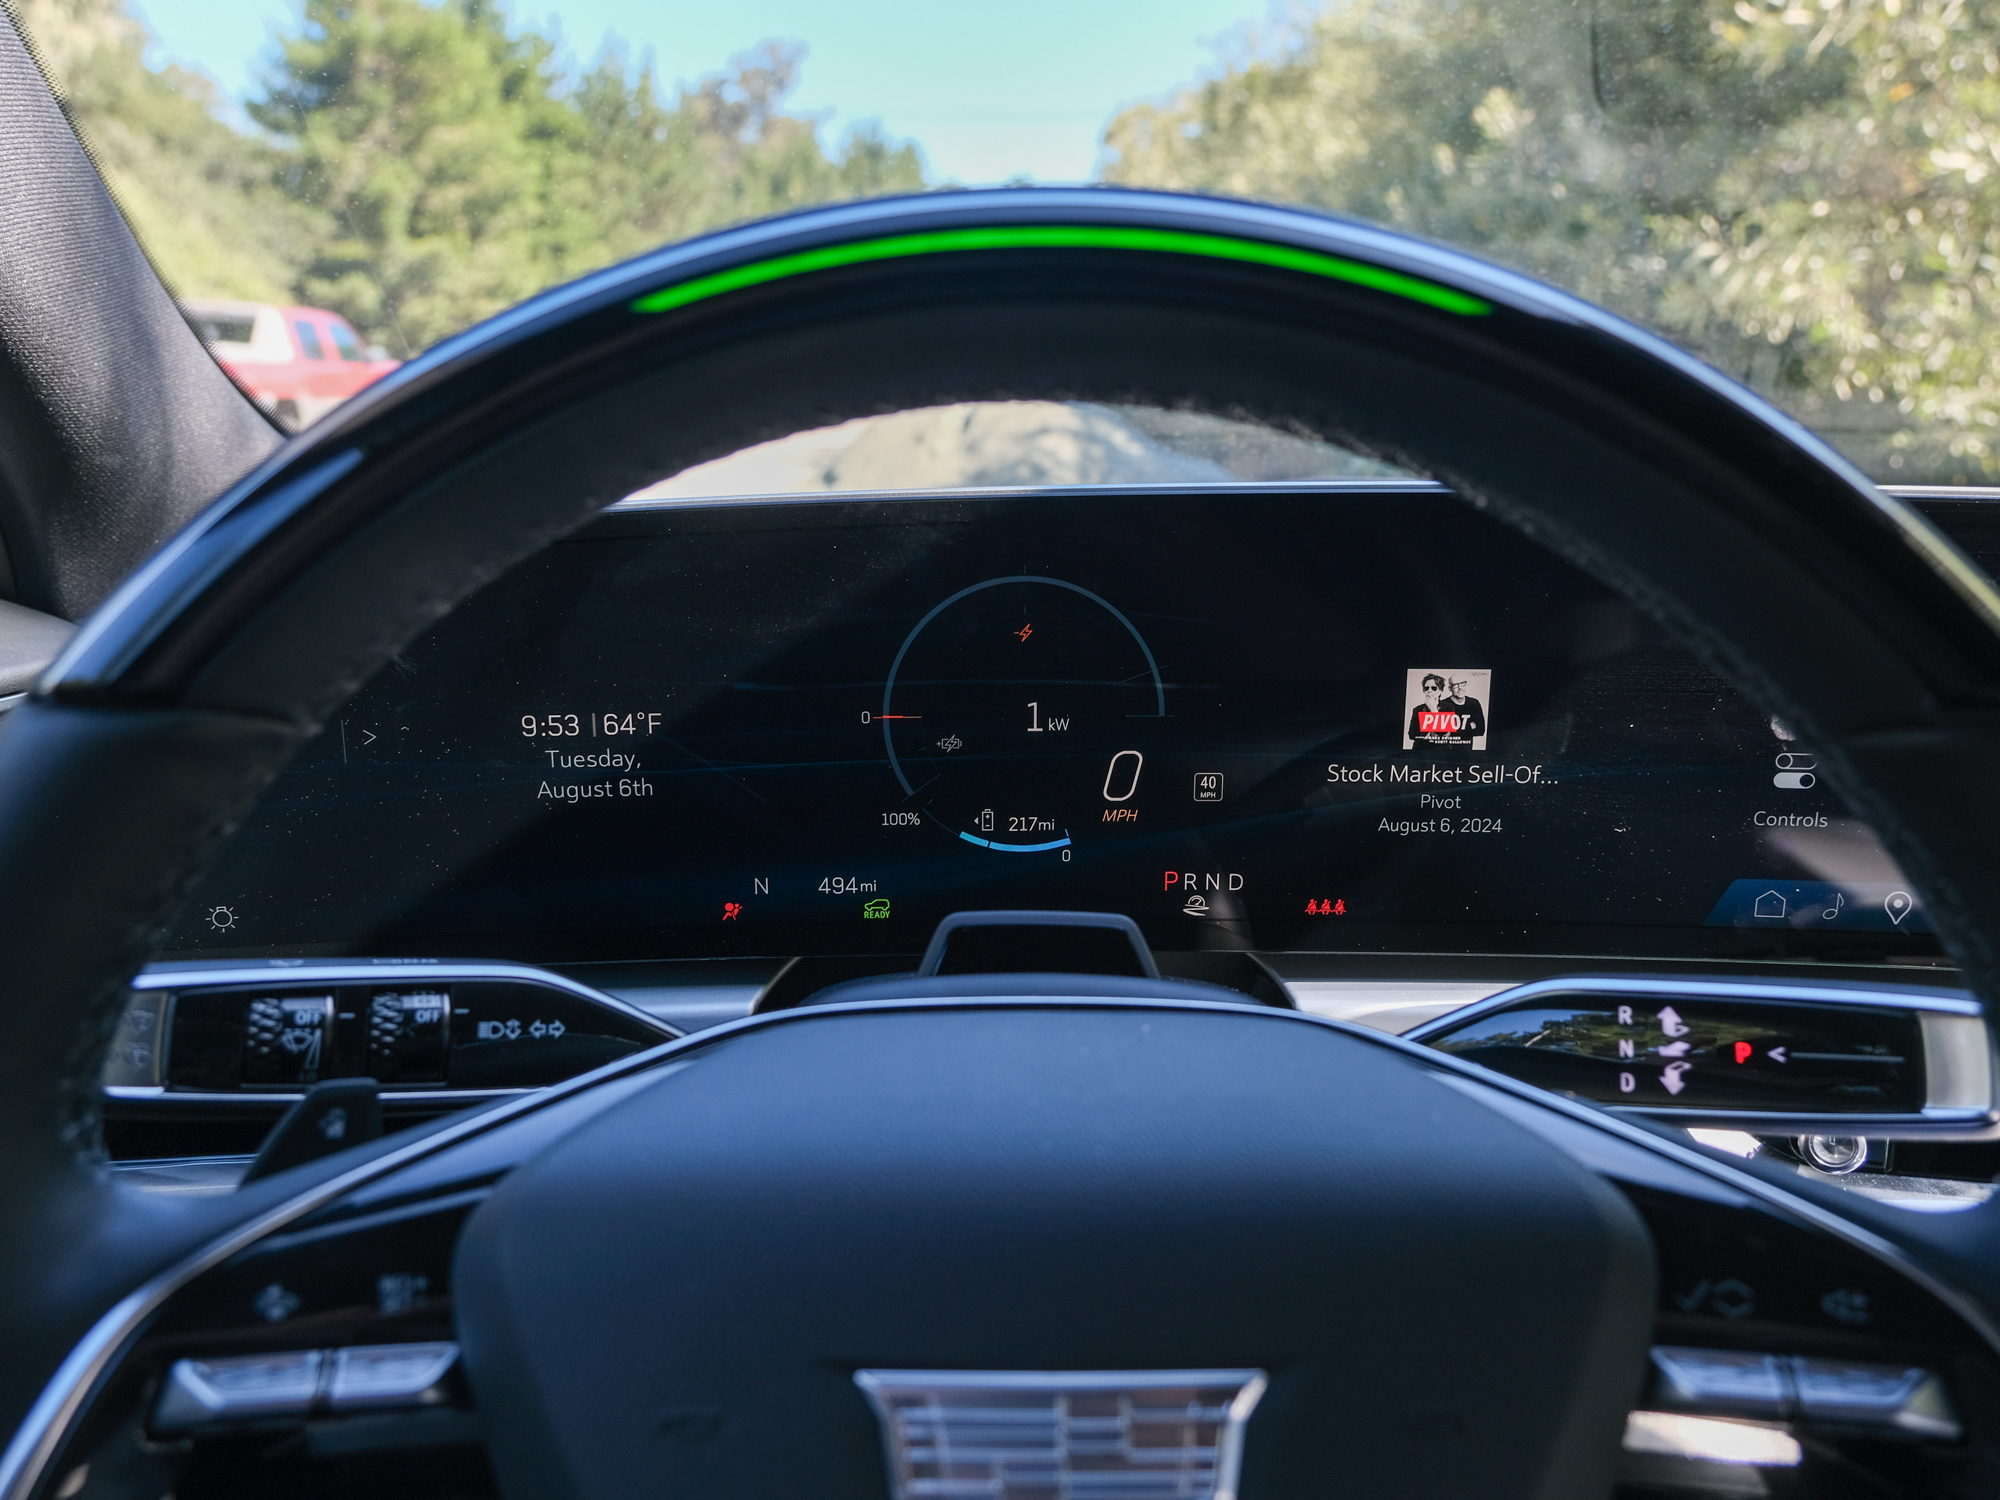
<point x="297" y="363"/>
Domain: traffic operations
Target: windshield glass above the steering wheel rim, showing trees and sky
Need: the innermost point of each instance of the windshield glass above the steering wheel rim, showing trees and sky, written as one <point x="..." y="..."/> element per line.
<point x="1803" y="195"/>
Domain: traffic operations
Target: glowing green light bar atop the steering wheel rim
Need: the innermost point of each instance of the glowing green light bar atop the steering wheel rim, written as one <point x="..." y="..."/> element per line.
<point x="1067" y="237"/>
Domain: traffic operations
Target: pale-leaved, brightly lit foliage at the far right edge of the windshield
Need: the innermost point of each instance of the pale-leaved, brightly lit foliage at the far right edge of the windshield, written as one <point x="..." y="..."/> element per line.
<point x="1869" y="231"/>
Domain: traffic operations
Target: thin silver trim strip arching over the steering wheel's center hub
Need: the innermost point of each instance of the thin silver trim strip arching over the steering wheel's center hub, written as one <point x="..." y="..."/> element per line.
<point x="79" y="1375"/>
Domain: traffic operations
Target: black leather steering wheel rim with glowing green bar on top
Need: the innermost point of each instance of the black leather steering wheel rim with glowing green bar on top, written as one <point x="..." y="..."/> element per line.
<point x="185" y="695"/>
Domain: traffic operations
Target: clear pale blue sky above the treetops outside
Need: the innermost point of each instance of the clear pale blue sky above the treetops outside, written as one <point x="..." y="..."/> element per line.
<point x="993" y="91"/>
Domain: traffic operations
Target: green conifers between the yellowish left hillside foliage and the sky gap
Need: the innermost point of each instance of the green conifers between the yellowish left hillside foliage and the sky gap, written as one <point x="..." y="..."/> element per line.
<point x="463" y="173"/>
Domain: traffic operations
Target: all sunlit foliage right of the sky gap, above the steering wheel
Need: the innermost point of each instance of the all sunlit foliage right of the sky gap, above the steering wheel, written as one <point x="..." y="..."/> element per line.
<point x="1801" y="193"/>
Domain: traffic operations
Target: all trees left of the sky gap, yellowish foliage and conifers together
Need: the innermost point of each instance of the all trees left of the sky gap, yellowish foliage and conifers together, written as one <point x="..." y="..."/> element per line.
<point x="425" y="165"/>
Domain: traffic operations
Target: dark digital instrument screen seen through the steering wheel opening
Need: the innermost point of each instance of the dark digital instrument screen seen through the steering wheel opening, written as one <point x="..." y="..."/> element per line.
<point x="1351" y="719"/>
